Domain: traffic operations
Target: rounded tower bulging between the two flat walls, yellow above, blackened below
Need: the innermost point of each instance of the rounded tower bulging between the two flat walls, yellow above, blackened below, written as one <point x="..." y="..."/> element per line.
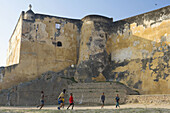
<point x="93" y="57"/>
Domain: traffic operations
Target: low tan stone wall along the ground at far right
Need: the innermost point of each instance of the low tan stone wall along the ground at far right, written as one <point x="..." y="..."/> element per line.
<point x="148" y="99"/>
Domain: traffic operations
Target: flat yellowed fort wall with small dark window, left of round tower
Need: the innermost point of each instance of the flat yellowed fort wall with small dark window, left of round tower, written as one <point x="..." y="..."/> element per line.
<point x="46" y="47"/>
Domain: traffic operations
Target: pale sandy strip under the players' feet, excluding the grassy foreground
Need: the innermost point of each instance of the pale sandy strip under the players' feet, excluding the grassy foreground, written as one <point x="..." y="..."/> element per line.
<point x="89" y="107"/>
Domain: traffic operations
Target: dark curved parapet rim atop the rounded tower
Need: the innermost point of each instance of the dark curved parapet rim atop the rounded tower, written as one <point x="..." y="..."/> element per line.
<point x="97" y="18"/>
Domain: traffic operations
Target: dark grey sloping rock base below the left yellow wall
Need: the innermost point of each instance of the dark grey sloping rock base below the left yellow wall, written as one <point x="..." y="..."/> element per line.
<point x="29" y="93"/>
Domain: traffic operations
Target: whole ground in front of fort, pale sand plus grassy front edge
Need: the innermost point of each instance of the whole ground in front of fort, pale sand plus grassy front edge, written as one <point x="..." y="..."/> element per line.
<point x="127" y="108"/>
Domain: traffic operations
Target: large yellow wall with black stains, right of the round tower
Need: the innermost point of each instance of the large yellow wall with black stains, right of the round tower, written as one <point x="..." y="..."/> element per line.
<point x="141" y="45"/>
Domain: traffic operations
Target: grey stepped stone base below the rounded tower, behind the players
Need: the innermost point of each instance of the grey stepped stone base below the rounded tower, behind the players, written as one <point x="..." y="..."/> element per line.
<point x="89" y="93"/>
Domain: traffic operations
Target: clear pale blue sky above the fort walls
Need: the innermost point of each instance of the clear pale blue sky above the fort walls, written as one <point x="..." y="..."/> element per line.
<point x="10" y="11"/>
